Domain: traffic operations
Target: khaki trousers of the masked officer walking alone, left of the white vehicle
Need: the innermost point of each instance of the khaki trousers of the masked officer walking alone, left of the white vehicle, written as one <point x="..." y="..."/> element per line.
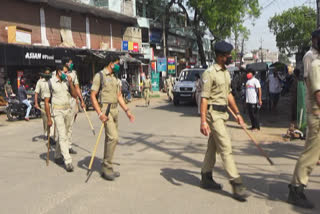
<point x="111" y="138"/>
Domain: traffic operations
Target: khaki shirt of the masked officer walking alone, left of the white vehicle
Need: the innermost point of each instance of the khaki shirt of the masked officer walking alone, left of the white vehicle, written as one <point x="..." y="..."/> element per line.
<point x="110" y="88"/>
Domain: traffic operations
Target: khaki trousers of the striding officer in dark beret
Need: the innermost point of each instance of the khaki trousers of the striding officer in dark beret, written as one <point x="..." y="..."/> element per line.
<point x="219" y="142"/>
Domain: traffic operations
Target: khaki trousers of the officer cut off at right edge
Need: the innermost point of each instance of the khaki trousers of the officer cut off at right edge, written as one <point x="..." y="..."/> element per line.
<point x="310" y="156"/>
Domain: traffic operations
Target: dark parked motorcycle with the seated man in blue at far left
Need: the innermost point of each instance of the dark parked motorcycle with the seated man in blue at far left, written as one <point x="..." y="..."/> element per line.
<point x="16" y="109"/>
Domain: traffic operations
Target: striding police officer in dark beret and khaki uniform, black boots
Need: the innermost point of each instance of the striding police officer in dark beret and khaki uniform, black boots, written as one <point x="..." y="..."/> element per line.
<point x="215" y="98"/>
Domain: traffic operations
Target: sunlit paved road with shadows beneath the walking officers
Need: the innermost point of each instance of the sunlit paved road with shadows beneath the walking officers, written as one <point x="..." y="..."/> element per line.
<point x="159" y="157"/>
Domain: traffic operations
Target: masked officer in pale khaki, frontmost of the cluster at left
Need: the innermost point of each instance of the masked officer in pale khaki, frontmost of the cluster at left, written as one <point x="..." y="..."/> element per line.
<point x="61" y="91"/>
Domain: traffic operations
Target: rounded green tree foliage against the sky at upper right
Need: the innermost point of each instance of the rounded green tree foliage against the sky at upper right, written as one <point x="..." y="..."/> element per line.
<point x="293" y="29"/>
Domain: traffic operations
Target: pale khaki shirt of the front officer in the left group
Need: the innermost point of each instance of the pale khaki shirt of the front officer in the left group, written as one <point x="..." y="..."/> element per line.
<point x="60" y="92"/>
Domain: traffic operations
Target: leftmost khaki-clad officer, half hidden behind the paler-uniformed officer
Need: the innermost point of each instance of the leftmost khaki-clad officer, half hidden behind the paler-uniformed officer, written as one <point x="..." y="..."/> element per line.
<point x="41" y="88"/>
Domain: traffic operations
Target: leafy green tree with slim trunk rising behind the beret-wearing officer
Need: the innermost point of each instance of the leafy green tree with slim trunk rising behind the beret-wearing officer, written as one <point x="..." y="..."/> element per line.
<point x="219" y="17"/>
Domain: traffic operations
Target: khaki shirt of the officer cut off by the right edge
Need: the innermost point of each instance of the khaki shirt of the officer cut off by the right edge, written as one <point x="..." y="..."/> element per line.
<point x="313" y="85"/>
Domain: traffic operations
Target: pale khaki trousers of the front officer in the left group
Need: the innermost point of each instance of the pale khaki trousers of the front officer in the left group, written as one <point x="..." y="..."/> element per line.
<point x="63" y="118"/>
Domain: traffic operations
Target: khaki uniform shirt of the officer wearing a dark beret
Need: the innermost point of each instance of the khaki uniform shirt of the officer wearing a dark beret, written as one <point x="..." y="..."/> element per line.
<point x="216" y="85"/>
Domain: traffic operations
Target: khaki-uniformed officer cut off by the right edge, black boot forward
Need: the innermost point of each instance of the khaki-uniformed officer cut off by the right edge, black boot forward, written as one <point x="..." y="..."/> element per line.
<point x="311" y="153"/>
